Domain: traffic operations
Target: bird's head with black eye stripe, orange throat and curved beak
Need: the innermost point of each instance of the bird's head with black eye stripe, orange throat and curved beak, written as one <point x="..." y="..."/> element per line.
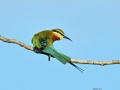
<point x="59" y="34"/>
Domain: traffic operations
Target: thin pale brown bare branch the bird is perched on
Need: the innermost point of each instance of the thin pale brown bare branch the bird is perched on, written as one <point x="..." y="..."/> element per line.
<point x="94" y="62"/>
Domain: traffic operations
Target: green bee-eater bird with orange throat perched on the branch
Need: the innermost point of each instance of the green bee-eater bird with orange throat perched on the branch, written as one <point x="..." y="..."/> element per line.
<point x="43" y="43"/>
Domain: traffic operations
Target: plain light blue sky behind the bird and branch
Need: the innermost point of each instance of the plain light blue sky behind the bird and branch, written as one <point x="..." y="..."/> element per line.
<point x="94" y="27"/>
